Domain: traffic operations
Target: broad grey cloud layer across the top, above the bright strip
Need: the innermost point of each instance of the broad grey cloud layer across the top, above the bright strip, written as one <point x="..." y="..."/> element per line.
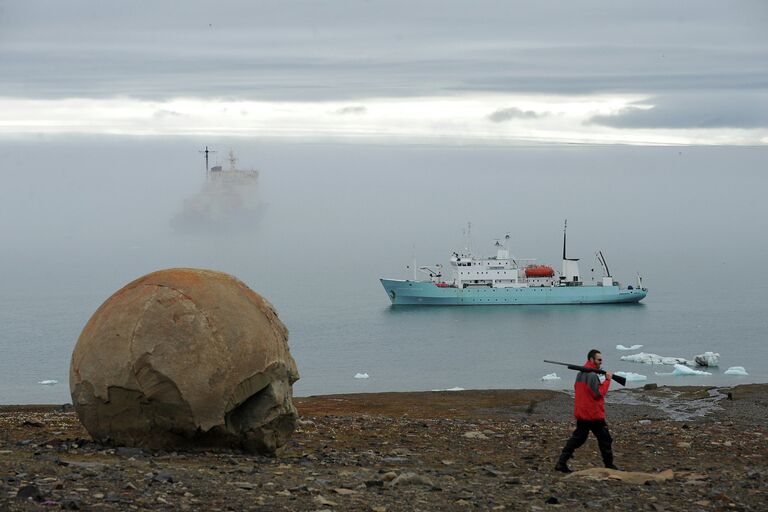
<point x="322" y="50"/>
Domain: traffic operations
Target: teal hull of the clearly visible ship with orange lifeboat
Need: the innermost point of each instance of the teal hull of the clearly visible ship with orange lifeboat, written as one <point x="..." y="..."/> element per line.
<point x="403" y="292"/>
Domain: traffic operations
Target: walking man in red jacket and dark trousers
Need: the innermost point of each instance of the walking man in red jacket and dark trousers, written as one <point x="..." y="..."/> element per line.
<point x="589" y="409"/>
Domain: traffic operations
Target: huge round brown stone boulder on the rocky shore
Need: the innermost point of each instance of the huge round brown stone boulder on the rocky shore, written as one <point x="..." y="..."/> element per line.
<point x="185" y="358"/>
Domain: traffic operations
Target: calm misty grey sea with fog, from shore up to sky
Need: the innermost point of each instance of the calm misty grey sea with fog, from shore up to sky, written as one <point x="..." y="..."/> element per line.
<point x="82" y="217"/>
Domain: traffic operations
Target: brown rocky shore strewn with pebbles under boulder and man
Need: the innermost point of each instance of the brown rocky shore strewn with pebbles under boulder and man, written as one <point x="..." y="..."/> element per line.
<point x="683" y="448"/>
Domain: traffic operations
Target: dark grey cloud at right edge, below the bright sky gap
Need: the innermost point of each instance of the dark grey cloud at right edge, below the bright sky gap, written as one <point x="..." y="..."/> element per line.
<point x="707" y="110"/>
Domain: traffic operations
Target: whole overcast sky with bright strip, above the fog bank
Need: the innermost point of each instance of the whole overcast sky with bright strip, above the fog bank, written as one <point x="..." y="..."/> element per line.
<point x="648" y="73"/>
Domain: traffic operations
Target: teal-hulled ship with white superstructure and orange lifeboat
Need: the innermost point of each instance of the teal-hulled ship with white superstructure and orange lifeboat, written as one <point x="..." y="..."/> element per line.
<point x="502" y="279"/>
